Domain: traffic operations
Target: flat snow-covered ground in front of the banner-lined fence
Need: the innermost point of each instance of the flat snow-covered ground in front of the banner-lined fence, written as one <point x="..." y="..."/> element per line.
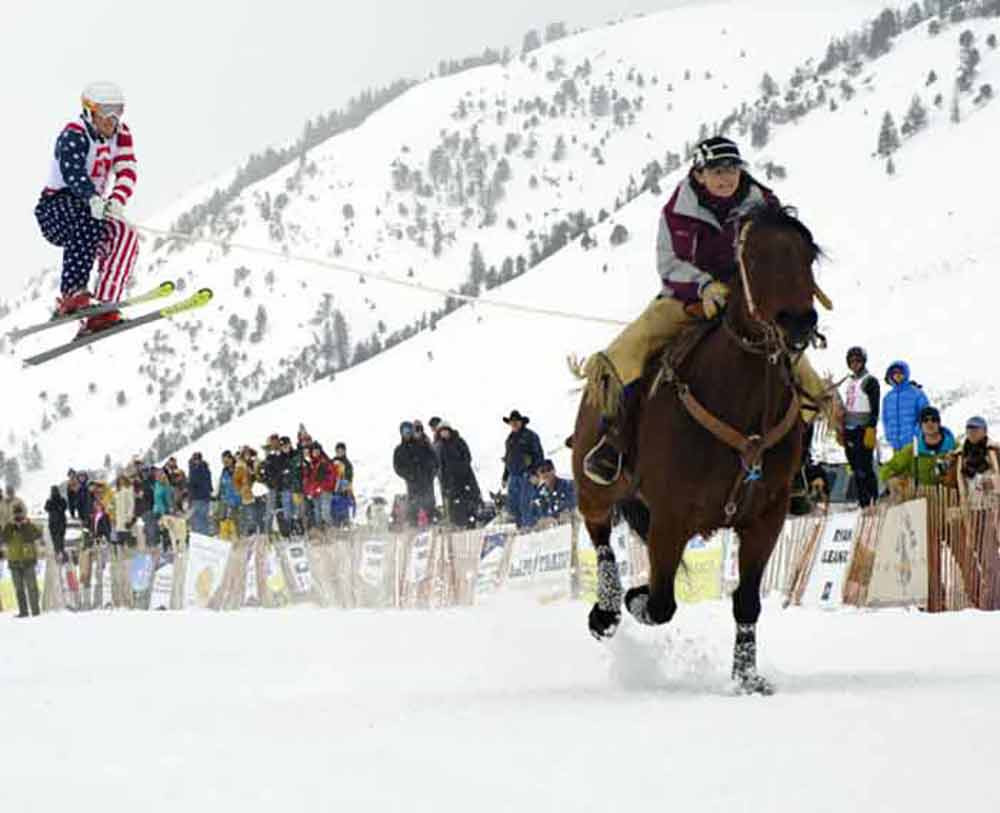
<point x="509" y="706"/>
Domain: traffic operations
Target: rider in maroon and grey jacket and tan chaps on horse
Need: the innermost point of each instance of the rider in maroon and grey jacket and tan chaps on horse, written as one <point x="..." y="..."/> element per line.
<point x="696" y="256"/>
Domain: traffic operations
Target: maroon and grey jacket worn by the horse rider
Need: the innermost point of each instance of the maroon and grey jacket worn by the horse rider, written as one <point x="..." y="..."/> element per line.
<point x="692" y="247"/>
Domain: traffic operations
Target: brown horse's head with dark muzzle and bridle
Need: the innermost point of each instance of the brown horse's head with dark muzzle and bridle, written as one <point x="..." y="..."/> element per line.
<point x="776" y="254"/>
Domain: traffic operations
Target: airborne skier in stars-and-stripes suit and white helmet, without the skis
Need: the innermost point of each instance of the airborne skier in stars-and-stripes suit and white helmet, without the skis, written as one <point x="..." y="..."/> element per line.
<point x="81" y="211"/>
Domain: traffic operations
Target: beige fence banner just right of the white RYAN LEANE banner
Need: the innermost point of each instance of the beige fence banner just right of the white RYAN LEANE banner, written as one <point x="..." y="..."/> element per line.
<point x="899" y="573"/>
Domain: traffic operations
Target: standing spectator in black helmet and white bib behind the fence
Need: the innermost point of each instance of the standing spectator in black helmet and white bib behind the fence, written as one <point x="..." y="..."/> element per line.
<point x="861" y="402"/>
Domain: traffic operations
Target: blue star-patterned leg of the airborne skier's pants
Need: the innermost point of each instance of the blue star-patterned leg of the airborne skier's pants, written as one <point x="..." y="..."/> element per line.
<point x="65" y="221"/>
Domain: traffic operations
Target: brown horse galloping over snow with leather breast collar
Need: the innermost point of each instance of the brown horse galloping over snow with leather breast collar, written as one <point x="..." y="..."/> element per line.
<point x="717" y="438"/>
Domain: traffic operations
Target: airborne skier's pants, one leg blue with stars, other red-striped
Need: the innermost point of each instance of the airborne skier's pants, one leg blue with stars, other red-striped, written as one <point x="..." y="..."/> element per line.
<point x="66" y="222"/>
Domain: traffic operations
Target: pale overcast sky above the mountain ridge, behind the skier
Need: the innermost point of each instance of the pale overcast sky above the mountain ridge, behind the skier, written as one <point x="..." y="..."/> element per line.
<point x="209" y="81"/>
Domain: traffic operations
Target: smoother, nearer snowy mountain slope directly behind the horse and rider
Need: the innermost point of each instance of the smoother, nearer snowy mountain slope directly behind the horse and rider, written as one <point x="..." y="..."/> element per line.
<point x="909" y="272"/>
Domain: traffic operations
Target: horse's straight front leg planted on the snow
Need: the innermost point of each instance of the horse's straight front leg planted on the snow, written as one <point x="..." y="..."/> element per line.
<point x="756" y="543"/>
